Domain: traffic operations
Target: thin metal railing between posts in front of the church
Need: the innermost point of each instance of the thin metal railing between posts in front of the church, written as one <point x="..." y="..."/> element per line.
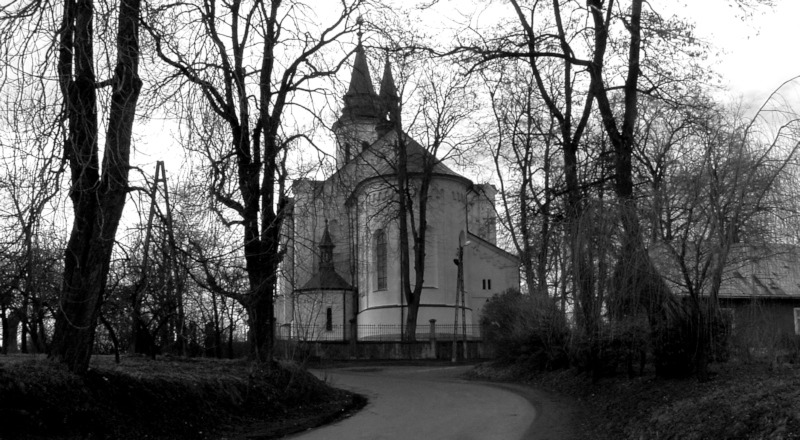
<point x="377" y="332"/>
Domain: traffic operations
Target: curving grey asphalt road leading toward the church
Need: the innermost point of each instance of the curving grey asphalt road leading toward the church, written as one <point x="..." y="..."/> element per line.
<point x="433" y="403"/>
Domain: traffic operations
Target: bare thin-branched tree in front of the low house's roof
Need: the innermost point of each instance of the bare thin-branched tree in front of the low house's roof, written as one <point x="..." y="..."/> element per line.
<point x="719" y="193"/>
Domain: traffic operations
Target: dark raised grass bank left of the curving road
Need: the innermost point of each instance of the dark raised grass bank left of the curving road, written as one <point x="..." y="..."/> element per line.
<point x="165" y="398"/>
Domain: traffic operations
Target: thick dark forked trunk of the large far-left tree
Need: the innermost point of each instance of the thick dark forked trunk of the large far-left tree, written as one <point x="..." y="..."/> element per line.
<point x="98" y="199"/>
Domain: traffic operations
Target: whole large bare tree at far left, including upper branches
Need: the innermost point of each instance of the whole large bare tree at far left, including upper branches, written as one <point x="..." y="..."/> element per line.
<point x="98" y="190"/>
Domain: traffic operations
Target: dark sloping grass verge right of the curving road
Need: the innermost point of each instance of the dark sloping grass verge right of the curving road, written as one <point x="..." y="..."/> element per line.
<point x="742" y="401"/>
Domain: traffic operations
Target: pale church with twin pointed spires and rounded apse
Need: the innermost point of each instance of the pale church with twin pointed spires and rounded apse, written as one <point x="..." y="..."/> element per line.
<point x="341" y="274"/>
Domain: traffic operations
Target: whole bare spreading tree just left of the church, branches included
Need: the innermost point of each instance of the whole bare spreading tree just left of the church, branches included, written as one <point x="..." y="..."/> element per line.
<point x="255" y="65"/>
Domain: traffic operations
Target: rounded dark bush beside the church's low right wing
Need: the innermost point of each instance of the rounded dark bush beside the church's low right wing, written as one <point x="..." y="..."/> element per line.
<point x="526" y="328"/>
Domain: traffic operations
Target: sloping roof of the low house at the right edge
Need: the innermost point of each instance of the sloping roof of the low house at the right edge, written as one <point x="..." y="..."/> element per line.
<point x="771" y="271"/>
